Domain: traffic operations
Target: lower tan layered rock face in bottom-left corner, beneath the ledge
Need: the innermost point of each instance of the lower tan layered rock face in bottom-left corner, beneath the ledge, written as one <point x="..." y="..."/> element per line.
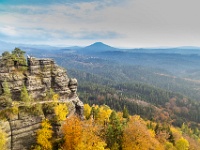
<point x="21" y="130"/>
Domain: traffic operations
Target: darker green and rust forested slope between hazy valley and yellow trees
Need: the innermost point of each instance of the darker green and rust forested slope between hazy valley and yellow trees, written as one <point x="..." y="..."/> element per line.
<point x="147" y="101"/>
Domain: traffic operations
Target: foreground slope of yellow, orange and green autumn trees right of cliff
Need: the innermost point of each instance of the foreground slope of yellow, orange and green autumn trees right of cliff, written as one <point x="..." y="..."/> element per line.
<point x="107" y="129"/>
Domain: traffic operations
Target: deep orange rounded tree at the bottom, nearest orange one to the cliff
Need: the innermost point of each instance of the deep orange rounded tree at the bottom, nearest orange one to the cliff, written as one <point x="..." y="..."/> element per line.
<point x="72" y="130"/>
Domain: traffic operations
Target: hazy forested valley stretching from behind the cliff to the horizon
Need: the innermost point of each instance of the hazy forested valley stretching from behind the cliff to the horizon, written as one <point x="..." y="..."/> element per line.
<point x="157" y="84"/>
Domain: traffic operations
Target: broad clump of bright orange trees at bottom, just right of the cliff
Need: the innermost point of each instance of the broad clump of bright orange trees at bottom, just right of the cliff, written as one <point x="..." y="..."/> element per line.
<point x="82" y="135"/>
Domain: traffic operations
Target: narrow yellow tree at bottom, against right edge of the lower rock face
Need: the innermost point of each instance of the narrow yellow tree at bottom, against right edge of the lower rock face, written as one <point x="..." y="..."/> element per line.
<point x="44" y="135"/>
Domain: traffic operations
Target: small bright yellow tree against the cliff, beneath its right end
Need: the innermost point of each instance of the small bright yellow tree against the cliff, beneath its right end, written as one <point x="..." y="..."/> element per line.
<point x="61" y="111"/>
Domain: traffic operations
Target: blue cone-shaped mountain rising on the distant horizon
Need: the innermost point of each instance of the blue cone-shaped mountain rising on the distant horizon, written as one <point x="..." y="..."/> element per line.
<point x="97" y="47"/>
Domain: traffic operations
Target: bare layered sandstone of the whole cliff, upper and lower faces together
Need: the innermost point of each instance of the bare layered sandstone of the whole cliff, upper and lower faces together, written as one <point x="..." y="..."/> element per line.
<point x="39" y="77"/>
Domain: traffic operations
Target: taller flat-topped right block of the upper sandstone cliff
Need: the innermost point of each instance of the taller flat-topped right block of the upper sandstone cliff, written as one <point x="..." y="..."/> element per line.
<point x="45" y="74"/>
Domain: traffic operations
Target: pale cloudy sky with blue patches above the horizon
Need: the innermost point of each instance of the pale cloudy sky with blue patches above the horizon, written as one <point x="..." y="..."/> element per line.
<point x="119" y="23"/>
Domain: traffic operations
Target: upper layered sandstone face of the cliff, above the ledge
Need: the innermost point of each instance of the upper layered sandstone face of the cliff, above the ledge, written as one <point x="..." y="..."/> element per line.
<point x="41" y="75"/>
